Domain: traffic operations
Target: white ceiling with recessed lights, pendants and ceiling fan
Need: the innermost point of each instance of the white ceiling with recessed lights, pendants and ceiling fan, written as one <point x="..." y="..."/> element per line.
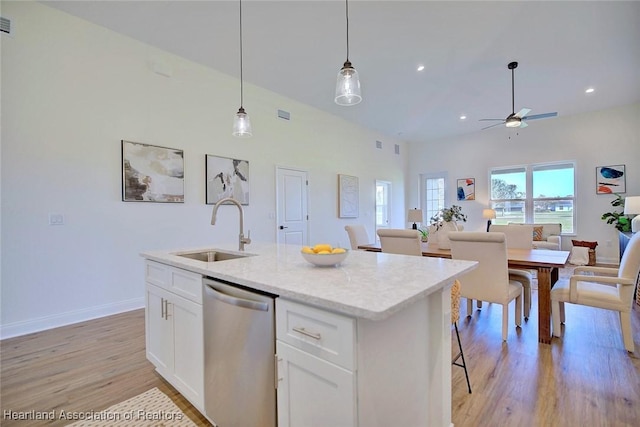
<point x="296" y="48"/>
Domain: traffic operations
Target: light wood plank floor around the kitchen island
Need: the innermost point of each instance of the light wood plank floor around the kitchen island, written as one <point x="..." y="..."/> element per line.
<point x="585" y="379"/>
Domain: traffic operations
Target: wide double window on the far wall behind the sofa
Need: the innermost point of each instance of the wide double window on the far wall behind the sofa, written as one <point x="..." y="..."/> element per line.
<point x="542" y="193"/>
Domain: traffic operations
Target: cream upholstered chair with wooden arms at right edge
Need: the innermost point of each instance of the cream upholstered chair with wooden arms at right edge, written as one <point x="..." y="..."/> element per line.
<point x="601" y="287"/>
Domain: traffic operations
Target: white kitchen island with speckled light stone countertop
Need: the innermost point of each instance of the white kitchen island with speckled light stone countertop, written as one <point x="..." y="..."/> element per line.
<point x="394" y="345"/>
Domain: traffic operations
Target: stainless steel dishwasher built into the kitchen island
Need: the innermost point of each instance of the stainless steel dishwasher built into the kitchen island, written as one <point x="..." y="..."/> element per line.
<point x="239" y="351"/>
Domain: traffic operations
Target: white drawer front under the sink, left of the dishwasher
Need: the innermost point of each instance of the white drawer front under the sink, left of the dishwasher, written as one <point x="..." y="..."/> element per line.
<point x="176" y="280"/>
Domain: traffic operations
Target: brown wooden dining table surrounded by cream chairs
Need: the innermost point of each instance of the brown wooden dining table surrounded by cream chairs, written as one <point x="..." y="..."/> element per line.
<point x="546" y="262"/>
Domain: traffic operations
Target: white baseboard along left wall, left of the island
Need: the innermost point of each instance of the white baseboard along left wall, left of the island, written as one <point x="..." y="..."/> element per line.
<point x="49" y="322"/>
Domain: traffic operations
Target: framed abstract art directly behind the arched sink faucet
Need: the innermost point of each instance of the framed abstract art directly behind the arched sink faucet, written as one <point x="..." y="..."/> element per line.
<point x="226" y="177"/>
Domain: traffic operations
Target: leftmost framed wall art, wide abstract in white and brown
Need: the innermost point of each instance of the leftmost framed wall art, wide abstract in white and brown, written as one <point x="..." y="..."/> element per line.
<point x="151" y="173"/>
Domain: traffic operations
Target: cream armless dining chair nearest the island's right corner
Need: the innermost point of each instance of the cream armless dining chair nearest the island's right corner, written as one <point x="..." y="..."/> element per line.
<point x="490" y="280"/>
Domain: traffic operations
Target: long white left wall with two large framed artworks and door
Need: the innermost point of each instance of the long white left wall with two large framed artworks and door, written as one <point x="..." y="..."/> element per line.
<point x="70" y="92"/>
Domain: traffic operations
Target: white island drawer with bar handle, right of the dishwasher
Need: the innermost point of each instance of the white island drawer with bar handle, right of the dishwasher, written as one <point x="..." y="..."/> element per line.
<point x="326" y="335"/>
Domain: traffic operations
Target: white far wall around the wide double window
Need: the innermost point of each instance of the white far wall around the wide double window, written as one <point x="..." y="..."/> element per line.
<point x="609" y="137"/>
